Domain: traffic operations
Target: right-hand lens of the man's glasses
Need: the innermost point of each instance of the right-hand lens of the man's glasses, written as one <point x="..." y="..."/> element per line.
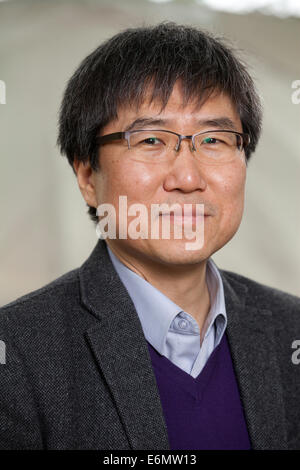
<point x="218" y="146"/>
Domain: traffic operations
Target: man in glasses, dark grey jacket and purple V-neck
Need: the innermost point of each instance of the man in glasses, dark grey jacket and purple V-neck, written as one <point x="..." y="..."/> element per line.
<point x="148" y="345"/>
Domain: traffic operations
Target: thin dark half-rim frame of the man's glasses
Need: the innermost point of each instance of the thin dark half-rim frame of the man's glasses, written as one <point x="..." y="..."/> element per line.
<point x="100" y="140"/>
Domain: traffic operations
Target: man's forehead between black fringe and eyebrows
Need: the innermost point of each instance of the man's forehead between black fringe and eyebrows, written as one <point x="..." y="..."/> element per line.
<point x="177" y="113"/>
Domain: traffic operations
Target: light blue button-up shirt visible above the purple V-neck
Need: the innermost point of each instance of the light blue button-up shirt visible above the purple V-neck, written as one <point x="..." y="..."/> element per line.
<point x="173" y="332"/>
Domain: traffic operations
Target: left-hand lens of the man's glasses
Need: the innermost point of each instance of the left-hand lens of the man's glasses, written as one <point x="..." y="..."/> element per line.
<point x="152" y="145"/>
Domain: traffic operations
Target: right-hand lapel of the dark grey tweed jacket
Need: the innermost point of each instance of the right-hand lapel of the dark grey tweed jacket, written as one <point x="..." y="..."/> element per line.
<point x="252" y="343"/>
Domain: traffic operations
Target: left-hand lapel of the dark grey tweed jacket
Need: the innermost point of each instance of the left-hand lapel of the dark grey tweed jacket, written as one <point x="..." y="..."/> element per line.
<point x="121" y="351"/>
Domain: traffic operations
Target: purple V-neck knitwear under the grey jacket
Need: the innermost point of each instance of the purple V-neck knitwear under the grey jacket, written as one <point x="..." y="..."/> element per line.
<point x="205" y="412"/>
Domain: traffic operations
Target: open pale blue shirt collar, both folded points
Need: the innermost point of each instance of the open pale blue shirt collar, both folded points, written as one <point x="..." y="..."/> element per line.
<point x="156" y="311"/>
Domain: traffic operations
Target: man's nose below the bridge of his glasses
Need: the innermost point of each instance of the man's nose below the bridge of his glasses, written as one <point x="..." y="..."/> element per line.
<point x="185" y="172"/>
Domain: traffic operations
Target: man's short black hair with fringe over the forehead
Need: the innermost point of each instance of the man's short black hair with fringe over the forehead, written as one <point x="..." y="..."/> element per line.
<point x="121" y="69"/>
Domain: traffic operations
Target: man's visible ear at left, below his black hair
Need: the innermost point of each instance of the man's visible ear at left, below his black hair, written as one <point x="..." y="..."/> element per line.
<point x="85" y="179"/>
